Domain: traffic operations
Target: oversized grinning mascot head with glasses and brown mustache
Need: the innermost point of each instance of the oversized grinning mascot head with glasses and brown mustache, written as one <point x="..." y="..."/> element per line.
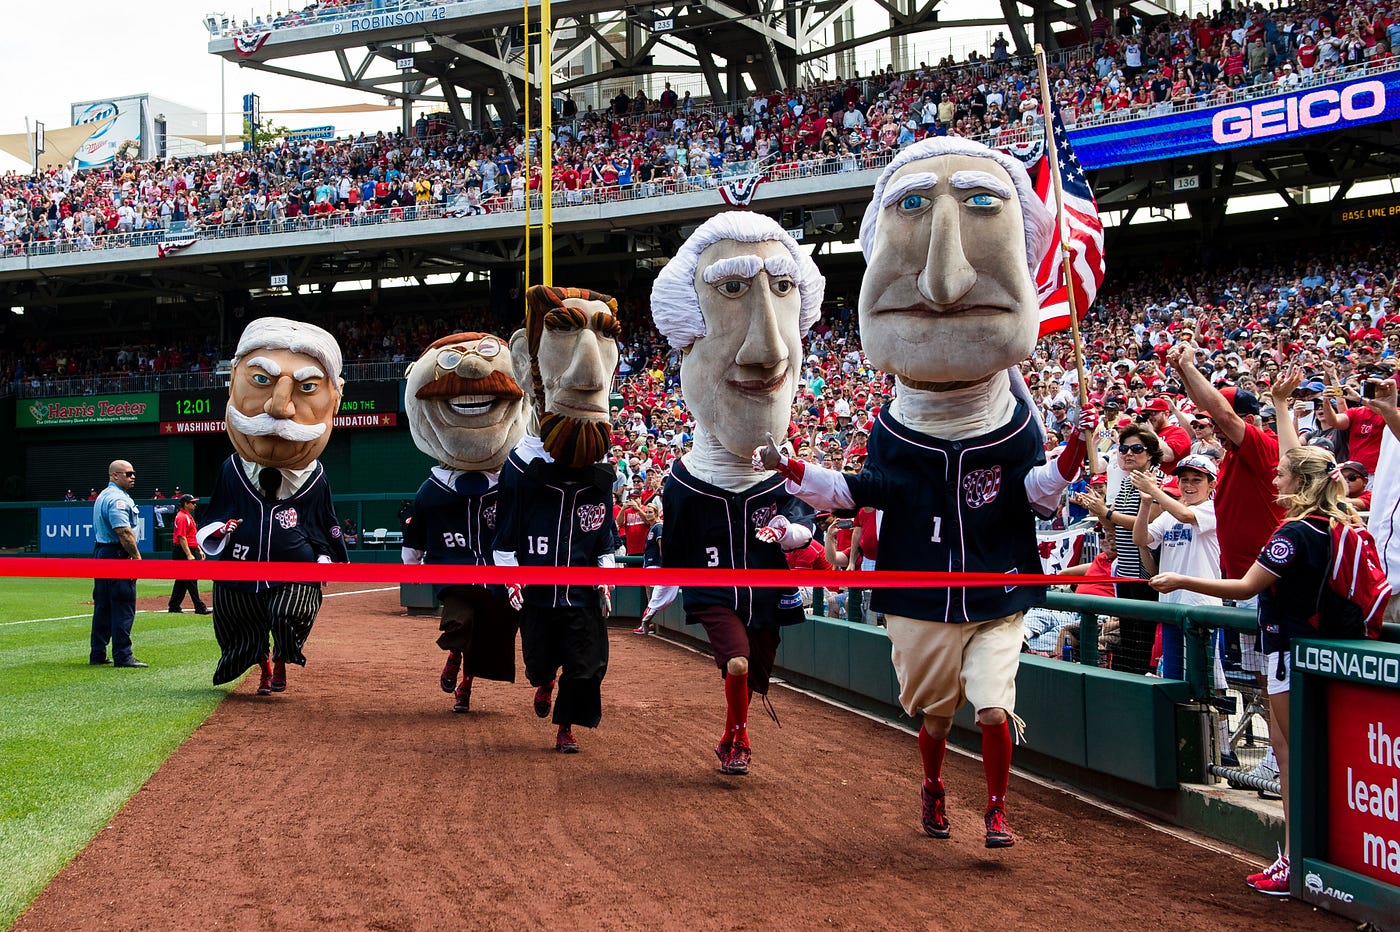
<point x="463" y="404"/>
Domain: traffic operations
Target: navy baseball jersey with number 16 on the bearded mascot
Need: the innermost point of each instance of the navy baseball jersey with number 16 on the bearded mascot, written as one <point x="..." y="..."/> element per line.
<point x="554" y="516"/>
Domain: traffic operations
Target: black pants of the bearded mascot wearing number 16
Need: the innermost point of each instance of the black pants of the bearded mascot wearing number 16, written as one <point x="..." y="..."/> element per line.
<point x="575" y="642"/>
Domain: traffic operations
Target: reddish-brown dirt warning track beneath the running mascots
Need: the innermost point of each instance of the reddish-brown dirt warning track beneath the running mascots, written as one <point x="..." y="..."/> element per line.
<point x="359" y="800"/>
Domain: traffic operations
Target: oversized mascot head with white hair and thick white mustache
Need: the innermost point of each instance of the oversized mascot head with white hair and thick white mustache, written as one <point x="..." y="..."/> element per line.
<point x="283" y="393"/>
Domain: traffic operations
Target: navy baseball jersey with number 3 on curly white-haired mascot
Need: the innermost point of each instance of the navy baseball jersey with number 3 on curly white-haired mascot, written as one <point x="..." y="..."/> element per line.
<point x="710" y="527"/>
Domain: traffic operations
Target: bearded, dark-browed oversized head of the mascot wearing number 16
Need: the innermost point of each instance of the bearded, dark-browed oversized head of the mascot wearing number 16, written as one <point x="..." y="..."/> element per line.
<point x="566" y="358"/>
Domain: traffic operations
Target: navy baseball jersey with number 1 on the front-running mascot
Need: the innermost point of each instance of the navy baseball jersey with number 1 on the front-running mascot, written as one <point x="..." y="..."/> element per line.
<point x="954" y="507"/>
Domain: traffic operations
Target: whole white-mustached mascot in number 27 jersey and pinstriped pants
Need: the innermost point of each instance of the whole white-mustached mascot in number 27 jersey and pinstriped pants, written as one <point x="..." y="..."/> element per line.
<point x="271" y="500"/>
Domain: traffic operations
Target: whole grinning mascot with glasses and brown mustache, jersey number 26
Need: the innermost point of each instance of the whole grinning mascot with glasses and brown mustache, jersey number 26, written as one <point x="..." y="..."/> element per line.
<point x="464" y="411"/>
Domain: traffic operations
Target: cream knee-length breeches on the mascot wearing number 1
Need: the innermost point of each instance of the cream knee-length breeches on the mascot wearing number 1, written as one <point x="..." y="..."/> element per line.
<point x="943" y="665"/>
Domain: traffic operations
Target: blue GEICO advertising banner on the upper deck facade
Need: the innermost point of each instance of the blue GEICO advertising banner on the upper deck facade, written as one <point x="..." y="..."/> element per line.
<point x="1315" y="110"/>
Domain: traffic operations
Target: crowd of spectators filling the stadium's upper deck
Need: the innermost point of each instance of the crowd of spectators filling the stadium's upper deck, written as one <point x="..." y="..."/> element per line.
<point x="646" y="146"/>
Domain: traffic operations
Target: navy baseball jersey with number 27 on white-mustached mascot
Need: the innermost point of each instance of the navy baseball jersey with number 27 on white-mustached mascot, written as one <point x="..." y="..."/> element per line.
<point x="297" y="530"/>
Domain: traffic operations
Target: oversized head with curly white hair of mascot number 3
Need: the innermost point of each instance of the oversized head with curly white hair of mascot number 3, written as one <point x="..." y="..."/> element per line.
<point x="737" y="302"/>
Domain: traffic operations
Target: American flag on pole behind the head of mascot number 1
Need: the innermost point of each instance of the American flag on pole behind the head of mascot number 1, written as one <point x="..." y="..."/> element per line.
<point x="1081" y="219"/>
